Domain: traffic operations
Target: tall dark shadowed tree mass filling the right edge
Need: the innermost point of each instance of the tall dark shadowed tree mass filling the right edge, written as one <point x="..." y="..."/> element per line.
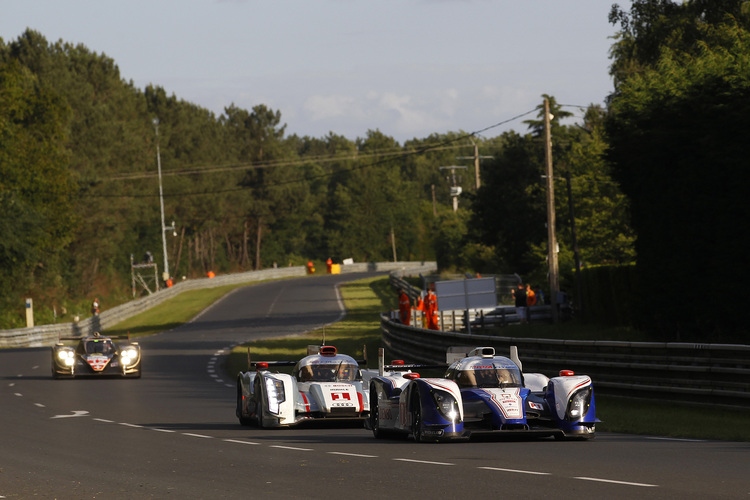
<point x="678" y="126"/>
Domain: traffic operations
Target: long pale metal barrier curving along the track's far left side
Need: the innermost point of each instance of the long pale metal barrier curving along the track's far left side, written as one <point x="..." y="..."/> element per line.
<point x="47" y="335"/>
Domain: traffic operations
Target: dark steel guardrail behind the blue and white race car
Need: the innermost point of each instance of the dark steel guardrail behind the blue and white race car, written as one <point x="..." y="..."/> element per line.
<point x="696" y="373"/>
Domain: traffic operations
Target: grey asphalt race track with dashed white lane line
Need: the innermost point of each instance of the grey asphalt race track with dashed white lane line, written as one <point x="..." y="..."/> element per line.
<point x="173" y="433"/>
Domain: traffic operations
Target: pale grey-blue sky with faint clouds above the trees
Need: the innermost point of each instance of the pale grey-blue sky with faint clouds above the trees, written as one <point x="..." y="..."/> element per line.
<point x="408" y="68"/>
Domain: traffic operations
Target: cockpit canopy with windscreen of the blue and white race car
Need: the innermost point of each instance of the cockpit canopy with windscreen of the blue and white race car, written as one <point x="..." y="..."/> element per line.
<point x="482" y="373"/>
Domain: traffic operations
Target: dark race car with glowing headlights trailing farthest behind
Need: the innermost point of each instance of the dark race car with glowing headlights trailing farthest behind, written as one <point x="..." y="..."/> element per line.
<point x="96" y="355"/>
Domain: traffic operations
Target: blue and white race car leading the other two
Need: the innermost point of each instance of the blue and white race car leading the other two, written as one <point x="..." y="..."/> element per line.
<point x="481" y="393"/>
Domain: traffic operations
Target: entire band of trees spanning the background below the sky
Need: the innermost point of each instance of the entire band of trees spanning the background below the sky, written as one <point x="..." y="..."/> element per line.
<point x="79" y="188"/>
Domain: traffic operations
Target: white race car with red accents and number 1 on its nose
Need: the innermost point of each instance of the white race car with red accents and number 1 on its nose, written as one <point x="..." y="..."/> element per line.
<point x="323" y="385"/>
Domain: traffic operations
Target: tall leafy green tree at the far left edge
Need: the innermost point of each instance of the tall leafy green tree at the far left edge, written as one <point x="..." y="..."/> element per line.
<point x="35" y="186"/>
